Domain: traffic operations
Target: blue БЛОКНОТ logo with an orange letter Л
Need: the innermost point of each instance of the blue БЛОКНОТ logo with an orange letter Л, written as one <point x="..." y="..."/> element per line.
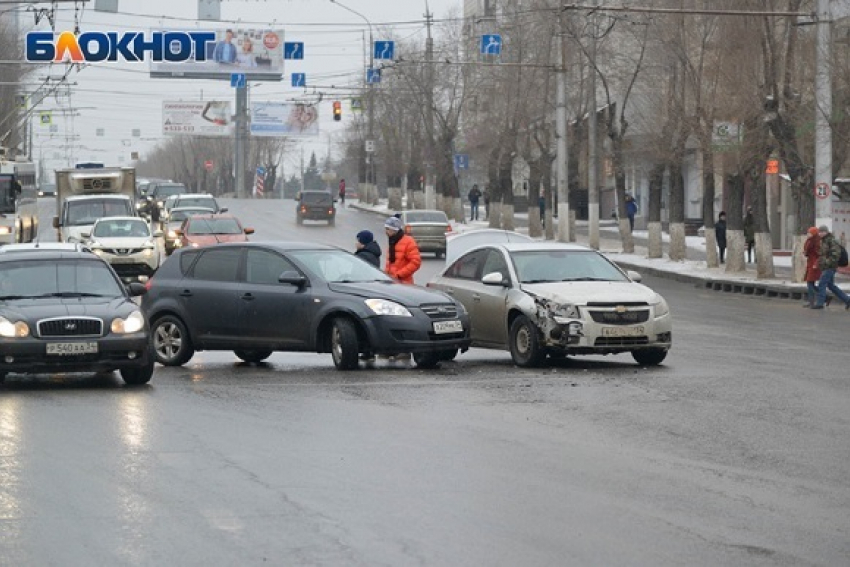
<point x="171" y="46"/>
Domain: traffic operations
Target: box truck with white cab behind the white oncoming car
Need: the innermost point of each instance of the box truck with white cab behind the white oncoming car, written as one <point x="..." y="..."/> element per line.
<point x="84" y="195"/>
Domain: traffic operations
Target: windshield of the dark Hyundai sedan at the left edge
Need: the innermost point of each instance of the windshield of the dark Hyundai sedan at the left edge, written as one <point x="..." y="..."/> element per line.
<point x="73" y="278"/>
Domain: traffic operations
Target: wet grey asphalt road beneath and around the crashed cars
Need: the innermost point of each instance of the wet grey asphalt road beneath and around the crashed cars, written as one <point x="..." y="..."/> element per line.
<point x="734" y="452"/>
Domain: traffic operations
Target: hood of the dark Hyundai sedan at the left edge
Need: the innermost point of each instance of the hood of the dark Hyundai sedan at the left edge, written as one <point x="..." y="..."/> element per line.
<point x="32" y="310"/>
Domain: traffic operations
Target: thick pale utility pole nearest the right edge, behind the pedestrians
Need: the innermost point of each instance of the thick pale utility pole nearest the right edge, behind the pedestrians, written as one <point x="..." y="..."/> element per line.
<point x="823" y="114"/>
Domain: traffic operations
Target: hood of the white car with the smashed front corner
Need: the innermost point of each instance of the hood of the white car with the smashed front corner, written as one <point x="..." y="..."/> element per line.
<point x="581" y="293"/>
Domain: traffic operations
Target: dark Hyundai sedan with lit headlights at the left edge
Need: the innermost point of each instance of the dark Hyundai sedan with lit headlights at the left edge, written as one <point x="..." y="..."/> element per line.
<point x="67" y="311"/>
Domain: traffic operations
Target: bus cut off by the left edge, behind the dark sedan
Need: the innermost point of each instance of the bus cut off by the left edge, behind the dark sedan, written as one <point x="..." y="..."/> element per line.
<point x="18" y="202"/>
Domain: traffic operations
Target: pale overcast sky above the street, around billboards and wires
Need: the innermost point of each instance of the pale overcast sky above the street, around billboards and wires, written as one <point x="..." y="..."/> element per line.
<point x="120" y="97"/>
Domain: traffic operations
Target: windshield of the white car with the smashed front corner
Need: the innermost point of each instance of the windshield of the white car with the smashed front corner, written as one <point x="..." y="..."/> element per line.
<point x="542" y="266"/>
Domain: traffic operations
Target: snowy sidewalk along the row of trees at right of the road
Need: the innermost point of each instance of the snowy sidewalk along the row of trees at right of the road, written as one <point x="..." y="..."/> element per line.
<point x="693" y="270"/>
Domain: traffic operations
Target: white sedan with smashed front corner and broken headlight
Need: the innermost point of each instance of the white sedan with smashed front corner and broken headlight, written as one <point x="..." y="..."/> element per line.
<point x="537" y="299"/>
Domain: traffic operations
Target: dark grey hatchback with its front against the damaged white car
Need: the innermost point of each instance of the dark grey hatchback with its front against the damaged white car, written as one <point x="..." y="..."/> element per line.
<point x="286" y="296"/>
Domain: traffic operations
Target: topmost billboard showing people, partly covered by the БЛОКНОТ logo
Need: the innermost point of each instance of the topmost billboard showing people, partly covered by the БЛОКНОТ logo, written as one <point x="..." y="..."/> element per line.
<point x="258" y="53"/>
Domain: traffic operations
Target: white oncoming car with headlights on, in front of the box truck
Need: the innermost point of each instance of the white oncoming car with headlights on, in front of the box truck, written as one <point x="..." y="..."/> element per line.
<point x="127" y="244"/>
